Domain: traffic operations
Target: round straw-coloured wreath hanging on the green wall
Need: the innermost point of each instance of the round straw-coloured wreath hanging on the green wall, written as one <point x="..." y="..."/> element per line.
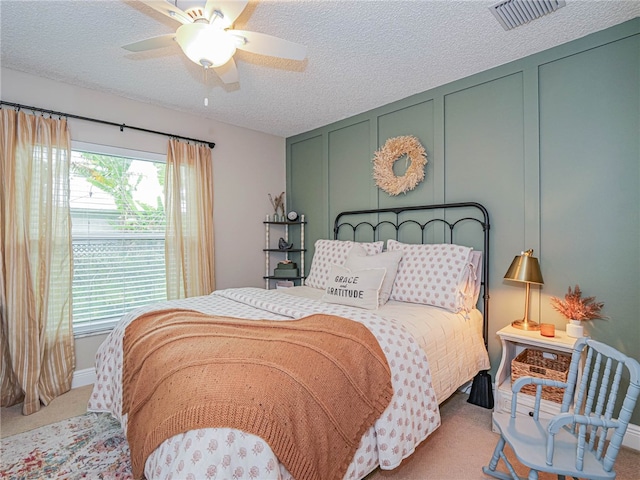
<point x="394" y="149"/>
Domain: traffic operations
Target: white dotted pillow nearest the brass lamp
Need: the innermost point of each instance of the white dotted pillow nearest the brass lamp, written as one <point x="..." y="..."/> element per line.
<point x="435" y="274"/>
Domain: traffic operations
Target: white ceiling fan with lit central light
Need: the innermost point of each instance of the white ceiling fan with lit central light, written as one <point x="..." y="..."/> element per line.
<point x="207" y="39"/>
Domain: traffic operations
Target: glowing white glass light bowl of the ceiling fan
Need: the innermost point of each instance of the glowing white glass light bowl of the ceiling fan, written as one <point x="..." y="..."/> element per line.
<point x="204" y="44"/>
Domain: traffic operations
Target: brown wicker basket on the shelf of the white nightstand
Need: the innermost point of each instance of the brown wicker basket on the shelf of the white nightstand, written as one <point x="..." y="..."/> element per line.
<point x="532" y="363"/>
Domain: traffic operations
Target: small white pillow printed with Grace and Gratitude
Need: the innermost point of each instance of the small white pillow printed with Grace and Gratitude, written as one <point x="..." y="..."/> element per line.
<point x="356" y="288"/>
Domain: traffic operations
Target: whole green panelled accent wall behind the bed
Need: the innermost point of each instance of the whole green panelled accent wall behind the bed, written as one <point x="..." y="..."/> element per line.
<point x="550" y="144"/>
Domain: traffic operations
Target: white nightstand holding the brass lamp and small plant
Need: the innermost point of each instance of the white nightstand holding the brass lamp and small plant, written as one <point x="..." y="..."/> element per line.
<point x="515" y="341"/>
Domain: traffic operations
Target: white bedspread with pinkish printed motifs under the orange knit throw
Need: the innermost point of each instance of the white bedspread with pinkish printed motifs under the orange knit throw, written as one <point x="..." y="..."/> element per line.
<point x="222" y="453"/>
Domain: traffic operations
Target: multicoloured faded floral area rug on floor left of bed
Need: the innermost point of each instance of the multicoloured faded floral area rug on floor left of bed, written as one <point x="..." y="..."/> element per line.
<point x="92" y="445"/>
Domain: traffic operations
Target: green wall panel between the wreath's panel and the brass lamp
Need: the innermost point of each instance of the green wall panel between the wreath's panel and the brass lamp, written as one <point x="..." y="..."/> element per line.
<point x="484" y="153"/>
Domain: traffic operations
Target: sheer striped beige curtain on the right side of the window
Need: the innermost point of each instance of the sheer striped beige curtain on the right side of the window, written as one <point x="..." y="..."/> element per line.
<point x="189" y="238"/>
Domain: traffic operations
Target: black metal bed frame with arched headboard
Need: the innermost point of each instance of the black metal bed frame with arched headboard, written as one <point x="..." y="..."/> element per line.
<point x="481" y="389"/>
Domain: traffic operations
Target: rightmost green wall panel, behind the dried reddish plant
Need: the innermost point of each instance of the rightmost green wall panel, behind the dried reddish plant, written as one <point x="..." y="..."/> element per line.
<point x="590" y="173"/>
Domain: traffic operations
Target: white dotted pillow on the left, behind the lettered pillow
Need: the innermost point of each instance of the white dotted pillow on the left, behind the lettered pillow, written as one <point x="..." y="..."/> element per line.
<point x="333" y="252"/>
